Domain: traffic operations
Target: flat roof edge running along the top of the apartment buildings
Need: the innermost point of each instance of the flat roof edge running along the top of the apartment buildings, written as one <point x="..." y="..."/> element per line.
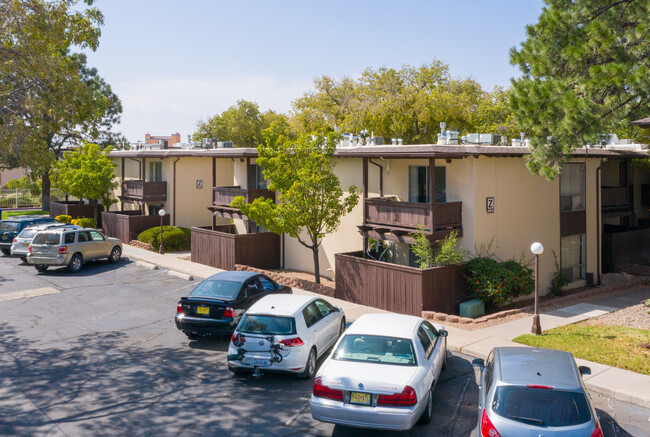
<point x="388" y="151"/>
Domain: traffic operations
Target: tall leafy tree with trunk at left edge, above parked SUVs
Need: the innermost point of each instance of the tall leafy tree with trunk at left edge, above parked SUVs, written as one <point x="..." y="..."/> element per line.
<point x="52" y="98"/>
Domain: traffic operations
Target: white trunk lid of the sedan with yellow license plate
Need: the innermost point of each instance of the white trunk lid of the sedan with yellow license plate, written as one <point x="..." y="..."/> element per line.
<point x="377" y="378"/>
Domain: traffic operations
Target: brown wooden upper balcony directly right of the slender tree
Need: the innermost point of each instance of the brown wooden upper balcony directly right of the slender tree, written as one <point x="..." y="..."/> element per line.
<point x="385" y="217"/>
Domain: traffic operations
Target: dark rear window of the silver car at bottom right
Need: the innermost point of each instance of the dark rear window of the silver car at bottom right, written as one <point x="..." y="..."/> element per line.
<point x="542" y="407"/>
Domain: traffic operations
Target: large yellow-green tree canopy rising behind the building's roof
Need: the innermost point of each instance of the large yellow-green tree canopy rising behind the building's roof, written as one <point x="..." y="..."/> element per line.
<point x="408" y="103"/>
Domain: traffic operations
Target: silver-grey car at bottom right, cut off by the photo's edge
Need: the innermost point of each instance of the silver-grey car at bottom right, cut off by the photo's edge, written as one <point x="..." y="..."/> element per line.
<point x="534" y="391"/>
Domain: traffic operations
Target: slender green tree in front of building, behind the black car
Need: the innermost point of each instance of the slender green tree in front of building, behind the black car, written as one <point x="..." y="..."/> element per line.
<point x="310" y="198"/>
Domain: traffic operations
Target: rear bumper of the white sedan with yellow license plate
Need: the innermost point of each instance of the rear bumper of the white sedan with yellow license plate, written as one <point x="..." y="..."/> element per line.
<point x="395" y="418"/>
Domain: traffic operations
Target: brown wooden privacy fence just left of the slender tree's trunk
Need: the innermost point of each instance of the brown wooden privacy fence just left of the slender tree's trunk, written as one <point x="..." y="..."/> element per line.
<point x="223" y="248"/>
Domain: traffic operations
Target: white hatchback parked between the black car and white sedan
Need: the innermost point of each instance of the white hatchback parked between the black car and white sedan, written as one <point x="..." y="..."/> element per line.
<point x="286" y="333"/>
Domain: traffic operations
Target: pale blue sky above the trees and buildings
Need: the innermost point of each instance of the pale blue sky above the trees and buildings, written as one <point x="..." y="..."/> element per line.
<point x="174" y="63"/>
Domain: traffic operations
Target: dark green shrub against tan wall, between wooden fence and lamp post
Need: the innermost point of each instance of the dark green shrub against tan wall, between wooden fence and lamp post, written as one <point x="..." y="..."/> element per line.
<point x="497" y="283"/>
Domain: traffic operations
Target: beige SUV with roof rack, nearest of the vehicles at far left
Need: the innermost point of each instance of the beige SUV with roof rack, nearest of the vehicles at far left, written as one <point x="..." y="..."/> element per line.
<point x="71" y="248"/>
